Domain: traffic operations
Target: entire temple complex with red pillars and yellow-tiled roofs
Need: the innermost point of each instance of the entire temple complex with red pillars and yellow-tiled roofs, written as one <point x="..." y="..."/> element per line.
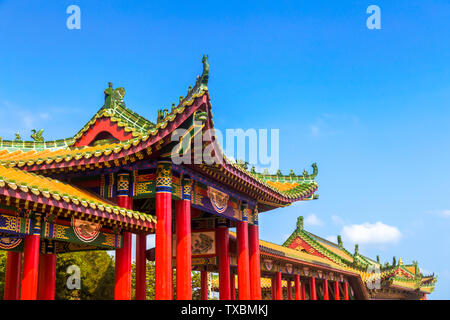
<point x="116" y="177"/>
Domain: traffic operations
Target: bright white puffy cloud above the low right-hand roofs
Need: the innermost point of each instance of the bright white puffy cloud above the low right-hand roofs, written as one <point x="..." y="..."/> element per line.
<point x="368" y="233"/>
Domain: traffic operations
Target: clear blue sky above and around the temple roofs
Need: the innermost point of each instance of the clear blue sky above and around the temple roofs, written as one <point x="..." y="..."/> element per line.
<point x="371" y="107"/>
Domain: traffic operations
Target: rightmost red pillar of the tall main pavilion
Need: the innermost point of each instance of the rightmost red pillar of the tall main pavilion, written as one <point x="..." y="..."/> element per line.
<point x="255" y="264"/>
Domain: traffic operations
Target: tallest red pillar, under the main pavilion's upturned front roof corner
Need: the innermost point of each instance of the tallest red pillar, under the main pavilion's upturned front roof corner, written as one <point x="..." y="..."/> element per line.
<point x="163" y="239"/>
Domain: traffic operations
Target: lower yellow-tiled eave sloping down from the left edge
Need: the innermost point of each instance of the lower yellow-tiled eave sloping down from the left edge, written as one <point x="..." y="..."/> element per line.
<point x="27" y="191"/>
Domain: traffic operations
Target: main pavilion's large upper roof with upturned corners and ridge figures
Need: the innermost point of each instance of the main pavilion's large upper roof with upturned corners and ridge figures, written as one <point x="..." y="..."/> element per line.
<point x="147" y="138"/>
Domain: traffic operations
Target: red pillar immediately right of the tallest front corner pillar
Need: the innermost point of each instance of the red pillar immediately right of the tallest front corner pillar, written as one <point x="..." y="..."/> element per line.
<point x="183" y="230"/>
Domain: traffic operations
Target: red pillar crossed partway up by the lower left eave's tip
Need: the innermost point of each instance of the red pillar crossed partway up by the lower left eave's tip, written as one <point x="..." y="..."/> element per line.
<point x="122" y="287"/>
